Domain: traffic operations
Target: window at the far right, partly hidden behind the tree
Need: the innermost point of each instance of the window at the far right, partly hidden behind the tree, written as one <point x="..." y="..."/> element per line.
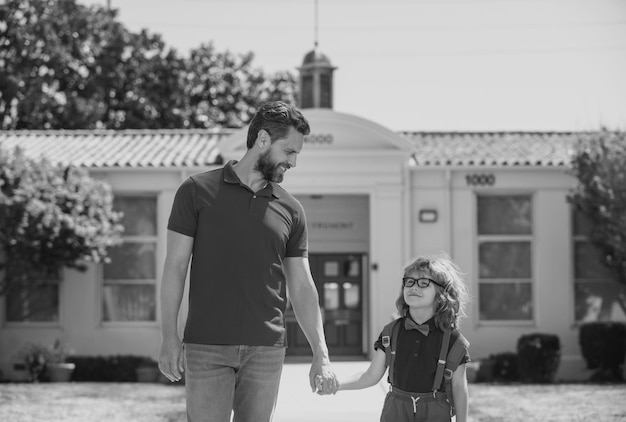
<point x="597" y="295"/>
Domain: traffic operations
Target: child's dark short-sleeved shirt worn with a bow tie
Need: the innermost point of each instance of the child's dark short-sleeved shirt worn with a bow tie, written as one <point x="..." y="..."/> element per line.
<point x="417" y="356"/>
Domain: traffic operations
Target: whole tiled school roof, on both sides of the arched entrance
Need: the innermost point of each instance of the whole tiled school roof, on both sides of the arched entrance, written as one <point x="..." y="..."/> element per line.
<point x="198" y="148"/>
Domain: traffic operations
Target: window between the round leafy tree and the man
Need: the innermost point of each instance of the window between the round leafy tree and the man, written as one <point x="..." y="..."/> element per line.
<point x="129" y="288"/>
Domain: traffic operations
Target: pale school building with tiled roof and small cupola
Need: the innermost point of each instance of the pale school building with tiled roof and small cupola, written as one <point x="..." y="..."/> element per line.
<point x="494" y="201"/>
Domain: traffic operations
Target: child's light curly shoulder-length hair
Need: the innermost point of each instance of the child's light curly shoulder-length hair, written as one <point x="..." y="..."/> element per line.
<point x="451" y="301"/>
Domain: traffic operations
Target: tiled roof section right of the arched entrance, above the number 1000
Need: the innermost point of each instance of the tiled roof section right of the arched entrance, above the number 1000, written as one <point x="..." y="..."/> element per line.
<point x="508" y="149"/>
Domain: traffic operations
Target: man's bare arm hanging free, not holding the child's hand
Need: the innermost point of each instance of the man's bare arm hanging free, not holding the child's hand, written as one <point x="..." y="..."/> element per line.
<point x="179" y="249"/>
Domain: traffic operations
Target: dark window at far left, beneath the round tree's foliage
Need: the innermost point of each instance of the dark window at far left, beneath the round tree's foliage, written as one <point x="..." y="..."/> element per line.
<point x="38" y="302"/>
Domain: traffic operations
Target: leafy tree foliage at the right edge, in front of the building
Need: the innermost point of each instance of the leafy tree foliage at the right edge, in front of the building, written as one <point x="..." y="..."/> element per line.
<point x="599" y="164"/>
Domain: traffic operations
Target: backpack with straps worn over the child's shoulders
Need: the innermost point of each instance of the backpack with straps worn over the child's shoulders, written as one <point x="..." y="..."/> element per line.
<point x="447" y="363"/>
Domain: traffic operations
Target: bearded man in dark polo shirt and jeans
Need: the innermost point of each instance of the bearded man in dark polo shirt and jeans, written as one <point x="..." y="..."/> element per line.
<point x="247" y="240"/>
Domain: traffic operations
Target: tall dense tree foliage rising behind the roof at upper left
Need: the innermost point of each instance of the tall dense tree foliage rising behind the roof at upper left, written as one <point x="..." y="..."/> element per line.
<point x="67" y="66"/>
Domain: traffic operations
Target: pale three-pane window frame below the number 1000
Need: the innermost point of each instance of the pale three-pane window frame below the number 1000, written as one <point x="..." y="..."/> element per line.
<point x="506" y="238"/>
